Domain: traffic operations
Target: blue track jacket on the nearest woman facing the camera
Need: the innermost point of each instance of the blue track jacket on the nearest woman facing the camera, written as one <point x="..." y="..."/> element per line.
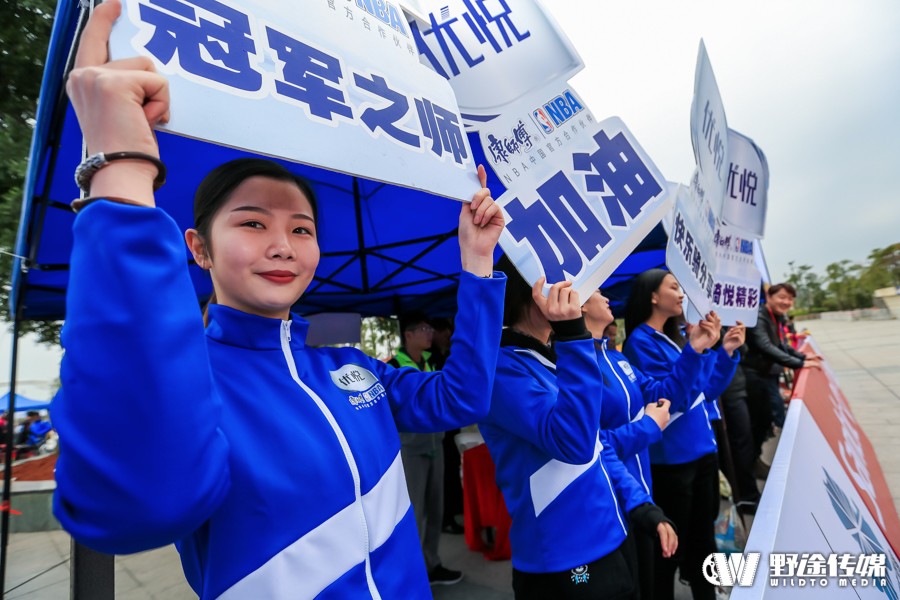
<point x="275" y="467"/>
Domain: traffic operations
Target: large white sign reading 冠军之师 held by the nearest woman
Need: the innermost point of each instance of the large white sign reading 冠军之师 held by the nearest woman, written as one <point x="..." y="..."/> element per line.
<point x="332" y="84"/>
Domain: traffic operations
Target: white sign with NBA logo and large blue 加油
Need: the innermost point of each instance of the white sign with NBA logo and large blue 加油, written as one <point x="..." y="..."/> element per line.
<point x="580" y="194"/>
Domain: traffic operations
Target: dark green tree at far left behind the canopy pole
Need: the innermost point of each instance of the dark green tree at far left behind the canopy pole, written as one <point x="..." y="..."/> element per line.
<point x="24" y="37"/>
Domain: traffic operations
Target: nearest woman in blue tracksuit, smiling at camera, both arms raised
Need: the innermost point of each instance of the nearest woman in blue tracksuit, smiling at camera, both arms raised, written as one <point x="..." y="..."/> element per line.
<point x="273" y="466"/>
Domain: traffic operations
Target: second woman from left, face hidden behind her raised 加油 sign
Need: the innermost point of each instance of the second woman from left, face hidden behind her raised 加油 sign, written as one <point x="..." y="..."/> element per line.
<point x="570" y="497"/>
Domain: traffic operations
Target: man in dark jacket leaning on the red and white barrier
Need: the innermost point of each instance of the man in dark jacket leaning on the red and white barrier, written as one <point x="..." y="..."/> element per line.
<point x="769" y="353"/>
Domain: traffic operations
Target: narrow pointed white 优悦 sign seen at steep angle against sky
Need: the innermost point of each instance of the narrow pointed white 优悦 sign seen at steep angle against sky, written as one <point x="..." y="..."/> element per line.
<point x="709" y="134"/>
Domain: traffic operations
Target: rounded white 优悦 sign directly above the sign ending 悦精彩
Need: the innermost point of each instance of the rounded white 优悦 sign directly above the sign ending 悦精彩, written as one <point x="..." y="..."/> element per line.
<point x="748" y="184"/>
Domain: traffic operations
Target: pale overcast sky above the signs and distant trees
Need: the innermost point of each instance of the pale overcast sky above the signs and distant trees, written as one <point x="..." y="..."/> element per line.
<point x="815" y="84"/>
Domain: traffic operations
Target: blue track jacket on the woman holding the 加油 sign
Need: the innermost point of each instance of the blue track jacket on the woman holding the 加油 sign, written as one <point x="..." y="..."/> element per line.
<point x="564" y="486"/>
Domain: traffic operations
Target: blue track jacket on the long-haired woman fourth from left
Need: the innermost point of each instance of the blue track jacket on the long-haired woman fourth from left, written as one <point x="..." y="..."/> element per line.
<point x="688" y="436"/>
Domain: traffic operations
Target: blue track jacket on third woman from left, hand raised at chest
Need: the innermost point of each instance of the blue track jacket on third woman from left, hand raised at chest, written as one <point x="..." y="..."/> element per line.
<point x="626" y="391"/>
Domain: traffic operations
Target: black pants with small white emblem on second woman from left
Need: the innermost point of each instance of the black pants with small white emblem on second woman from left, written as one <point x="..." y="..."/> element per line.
<point x="613" y="577"/>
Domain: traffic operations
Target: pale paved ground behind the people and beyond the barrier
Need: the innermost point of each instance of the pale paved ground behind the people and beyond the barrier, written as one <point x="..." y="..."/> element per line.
<point x="865" y="355"/>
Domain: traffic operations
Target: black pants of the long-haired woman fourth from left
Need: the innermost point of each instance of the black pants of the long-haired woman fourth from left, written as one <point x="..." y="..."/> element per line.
<point x="689" y="495"/>
